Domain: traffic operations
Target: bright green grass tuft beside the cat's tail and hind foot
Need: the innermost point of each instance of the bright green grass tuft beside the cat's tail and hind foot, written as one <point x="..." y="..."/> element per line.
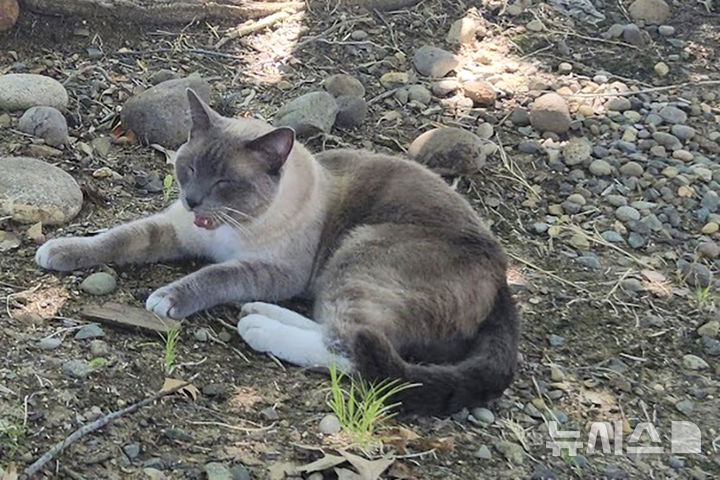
<point x="362" y="406"/>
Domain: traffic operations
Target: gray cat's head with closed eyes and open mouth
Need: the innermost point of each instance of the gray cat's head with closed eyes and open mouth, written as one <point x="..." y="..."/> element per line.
<point x="229" y="170"/>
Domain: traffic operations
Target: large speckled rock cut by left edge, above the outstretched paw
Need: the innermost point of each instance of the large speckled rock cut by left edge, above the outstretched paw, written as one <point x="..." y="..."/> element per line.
<point x="34" y="191"/>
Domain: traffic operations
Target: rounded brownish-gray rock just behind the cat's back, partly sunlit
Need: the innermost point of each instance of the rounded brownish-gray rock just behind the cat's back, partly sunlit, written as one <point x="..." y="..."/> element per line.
<point x="449" y="151"/>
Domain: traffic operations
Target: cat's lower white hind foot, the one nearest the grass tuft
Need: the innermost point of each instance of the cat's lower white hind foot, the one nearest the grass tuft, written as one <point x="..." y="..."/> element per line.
<point x="299" y="346"/>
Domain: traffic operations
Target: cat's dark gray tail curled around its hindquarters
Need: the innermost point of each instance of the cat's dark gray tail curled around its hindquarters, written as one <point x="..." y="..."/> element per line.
<point x="444" y="389"/>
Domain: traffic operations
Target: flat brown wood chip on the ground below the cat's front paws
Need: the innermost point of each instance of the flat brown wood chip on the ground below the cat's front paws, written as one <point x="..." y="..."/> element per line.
<point x="120" y="315"/>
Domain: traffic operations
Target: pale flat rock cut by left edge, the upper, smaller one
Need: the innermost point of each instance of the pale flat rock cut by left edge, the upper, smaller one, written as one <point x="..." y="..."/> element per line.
<point x="20" y="91"/>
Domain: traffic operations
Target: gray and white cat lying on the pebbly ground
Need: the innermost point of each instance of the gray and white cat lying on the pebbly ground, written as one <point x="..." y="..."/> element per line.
<point x="407" y="281"/>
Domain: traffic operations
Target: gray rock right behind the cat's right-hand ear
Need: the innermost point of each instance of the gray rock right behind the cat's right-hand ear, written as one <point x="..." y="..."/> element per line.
<point x="308" y="114"/>
